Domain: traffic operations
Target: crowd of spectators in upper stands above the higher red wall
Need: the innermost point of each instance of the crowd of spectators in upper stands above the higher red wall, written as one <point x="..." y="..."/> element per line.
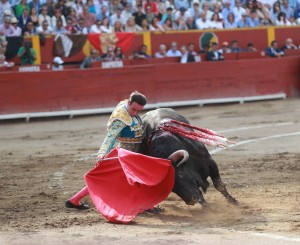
<point x="31" y="17"/>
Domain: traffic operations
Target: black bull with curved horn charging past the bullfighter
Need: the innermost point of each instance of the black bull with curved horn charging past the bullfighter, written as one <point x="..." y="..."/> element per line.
<point x="191" y="176"/>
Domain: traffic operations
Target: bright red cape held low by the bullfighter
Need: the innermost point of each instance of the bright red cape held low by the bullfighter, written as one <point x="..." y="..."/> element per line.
<point x="125" y="183"/>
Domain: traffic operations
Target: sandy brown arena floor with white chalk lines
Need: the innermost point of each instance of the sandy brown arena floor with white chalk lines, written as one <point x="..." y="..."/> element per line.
<point x="43" y="162"/>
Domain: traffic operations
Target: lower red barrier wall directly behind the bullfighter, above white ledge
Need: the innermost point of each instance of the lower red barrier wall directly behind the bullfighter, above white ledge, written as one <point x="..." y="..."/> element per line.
<point x="74" y="89"/>
